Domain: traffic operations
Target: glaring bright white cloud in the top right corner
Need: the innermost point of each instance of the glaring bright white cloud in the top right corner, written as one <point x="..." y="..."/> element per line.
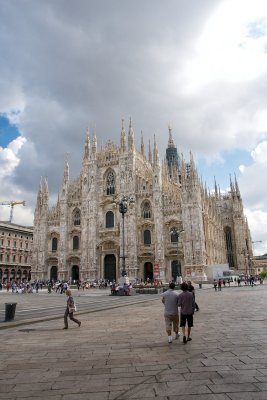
<point x="227" y="49"/>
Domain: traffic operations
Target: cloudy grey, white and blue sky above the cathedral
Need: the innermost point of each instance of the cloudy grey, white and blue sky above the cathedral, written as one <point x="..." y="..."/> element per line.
<point x="200" y="66"/>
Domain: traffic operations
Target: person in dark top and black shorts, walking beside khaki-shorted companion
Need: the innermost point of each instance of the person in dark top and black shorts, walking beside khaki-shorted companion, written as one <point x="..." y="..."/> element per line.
<point x="186" y="304"/>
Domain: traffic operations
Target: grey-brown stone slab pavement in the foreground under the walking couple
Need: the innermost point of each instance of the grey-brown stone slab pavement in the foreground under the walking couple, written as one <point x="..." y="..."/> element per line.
<point x="123" y="353"/>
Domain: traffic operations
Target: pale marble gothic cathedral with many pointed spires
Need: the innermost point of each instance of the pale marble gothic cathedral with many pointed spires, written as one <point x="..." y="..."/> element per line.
<point x="172" y="226"/>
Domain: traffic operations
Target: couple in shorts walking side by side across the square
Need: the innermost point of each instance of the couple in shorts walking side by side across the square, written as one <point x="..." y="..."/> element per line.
<point x="185" y="303"/>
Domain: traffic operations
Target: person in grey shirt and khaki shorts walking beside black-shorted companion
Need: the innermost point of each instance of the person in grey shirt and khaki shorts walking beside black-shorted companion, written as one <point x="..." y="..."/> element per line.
<point x="170" y="301"/>
